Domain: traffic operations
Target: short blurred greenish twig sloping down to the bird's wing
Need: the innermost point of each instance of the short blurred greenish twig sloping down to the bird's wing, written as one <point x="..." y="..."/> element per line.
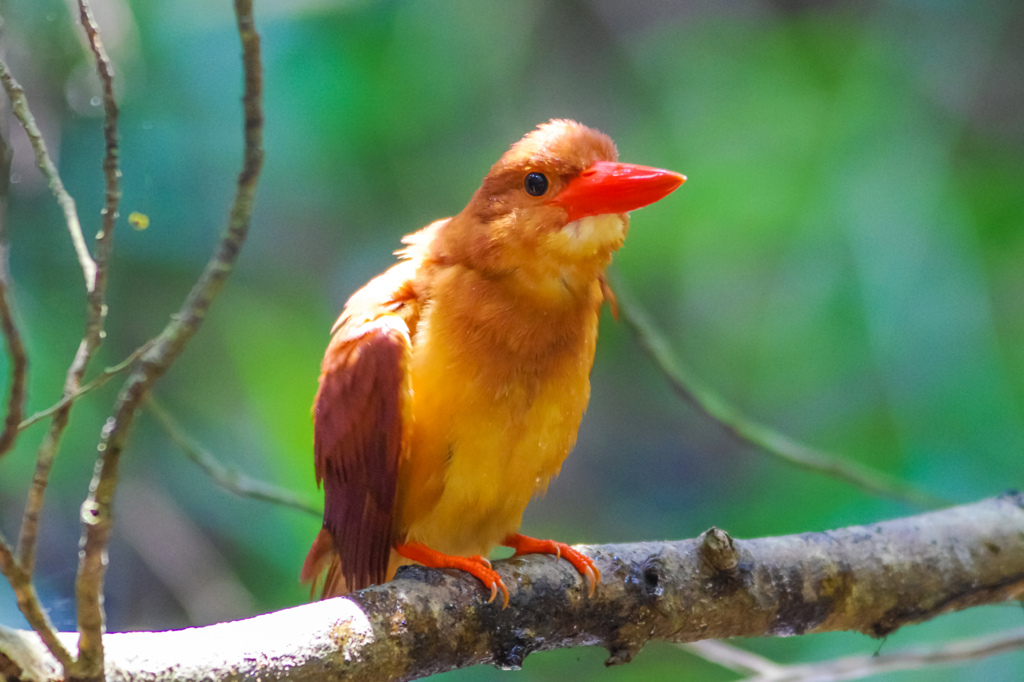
<point x="229" y="479"/>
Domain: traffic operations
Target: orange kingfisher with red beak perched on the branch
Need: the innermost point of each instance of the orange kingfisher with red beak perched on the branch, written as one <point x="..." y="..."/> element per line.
<point x="454" y="385"/>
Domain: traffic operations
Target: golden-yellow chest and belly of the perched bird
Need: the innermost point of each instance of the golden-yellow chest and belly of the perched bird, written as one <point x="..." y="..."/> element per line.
<point x="496" y="410"/>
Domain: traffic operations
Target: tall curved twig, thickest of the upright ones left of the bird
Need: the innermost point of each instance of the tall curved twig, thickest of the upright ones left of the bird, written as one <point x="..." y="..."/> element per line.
<point x="166" y="349"/>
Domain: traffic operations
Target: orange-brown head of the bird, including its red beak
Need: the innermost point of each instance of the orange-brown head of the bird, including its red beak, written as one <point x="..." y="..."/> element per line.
<point x="553" y="208"/>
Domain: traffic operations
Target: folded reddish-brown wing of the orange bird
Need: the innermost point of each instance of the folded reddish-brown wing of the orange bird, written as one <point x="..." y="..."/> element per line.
<point x="361" y="418"/>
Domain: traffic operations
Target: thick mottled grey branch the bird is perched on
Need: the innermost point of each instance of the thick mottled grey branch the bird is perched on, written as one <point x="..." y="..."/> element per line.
<point x="872" y="579"/>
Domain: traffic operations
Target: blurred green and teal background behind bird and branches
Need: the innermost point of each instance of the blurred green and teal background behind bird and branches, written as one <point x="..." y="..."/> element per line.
<point x="846" y="264"/>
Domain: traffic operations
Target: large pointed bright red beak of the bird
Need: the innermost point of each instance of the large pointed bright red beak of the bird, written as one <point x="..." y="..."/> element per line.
<point x="614" y="188"/>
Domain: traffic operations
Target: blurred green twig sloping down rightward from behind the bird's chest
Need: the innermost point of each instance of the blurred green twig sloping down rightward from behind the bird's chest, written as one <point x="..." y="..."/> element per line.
<point x="764" y="439"/>
